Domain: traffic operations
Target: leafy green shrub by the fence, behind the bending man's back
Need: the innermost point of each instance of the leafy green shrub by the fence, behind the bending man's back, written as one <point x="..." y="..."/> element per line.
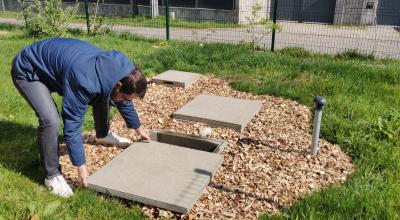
<point x="47" y="18"/>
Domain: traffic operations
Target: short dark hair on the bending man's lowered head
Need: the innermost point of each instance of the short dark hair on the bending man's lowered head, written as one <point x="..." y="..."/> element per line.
<point x="135" y="82"/>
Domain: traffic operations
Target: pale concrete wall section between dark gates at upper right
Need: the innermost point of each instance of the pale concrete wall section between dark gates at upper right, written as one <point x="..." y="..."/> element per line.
<point x="355" y="12"/>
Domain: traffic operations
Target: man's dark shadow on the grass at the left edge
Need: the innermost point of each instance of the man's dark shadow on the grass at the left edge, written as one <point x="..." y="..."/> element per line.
<point x="19" y="150"/>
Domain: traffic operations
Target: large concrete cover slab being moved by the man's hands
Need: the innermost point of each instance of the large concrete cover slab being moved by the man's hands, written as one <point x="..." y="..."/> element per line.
<point x="157" y="174"/>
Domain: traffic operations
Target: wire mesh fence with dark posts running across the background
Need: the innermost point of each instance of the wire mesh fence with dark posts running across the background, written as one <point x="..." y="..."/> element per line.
<point x="323" y="26"/>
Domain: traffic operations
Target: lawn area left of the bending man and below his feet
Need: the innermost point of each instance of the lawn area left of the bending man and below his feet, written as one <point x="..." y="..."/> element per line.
<point x="21" y="179"/>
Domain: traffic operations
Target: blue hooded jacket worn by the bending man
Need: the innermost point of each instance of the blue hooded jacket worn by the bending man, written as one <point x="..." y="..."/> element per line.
<point x="82" y="74"/>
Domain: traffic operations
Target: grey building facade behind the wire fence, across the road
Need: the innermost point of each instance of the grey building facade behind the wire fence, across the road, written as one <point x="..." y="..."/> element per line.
<point x="384" y="12"/>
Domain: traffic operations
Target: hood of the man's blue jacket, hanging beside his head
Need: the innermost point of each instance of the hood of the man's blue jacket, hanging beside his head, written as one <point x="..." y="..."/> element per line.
<point x="111" y="67"/>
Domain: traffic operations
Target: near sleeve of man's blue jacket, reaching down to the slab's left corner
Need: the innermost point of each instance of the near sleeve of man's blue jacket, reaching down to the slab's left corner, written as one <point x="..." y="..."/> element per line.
<point x="74" y="106"/>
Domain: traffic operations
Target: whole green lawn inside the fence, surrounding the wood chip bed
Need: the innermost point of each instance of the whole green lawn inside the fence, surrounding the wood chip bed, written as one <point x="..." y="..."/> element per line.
<point x="362" y="116"/>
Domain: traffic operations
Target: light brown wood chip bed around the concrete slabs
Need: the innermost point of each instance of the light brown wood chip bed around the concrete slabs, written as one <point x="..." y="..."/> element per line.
<point x="266" y="167"/>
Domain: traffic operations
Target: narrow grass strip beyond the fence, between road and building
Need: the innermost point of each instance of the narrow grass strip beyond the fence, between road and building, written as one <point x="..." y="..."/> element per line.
<point x="142" y="21"/>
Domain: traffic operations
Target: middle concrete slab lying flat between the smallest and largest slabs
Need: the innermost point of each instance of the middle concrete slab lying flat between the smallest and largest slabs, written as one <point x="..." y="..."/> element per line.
<point x="220" y="111"/>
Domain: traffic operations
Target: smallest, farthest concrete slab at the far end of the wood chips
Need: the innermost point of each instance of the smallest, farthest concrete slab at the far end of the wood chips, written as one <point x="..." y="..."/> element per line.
<point x="176" y="78"/>
